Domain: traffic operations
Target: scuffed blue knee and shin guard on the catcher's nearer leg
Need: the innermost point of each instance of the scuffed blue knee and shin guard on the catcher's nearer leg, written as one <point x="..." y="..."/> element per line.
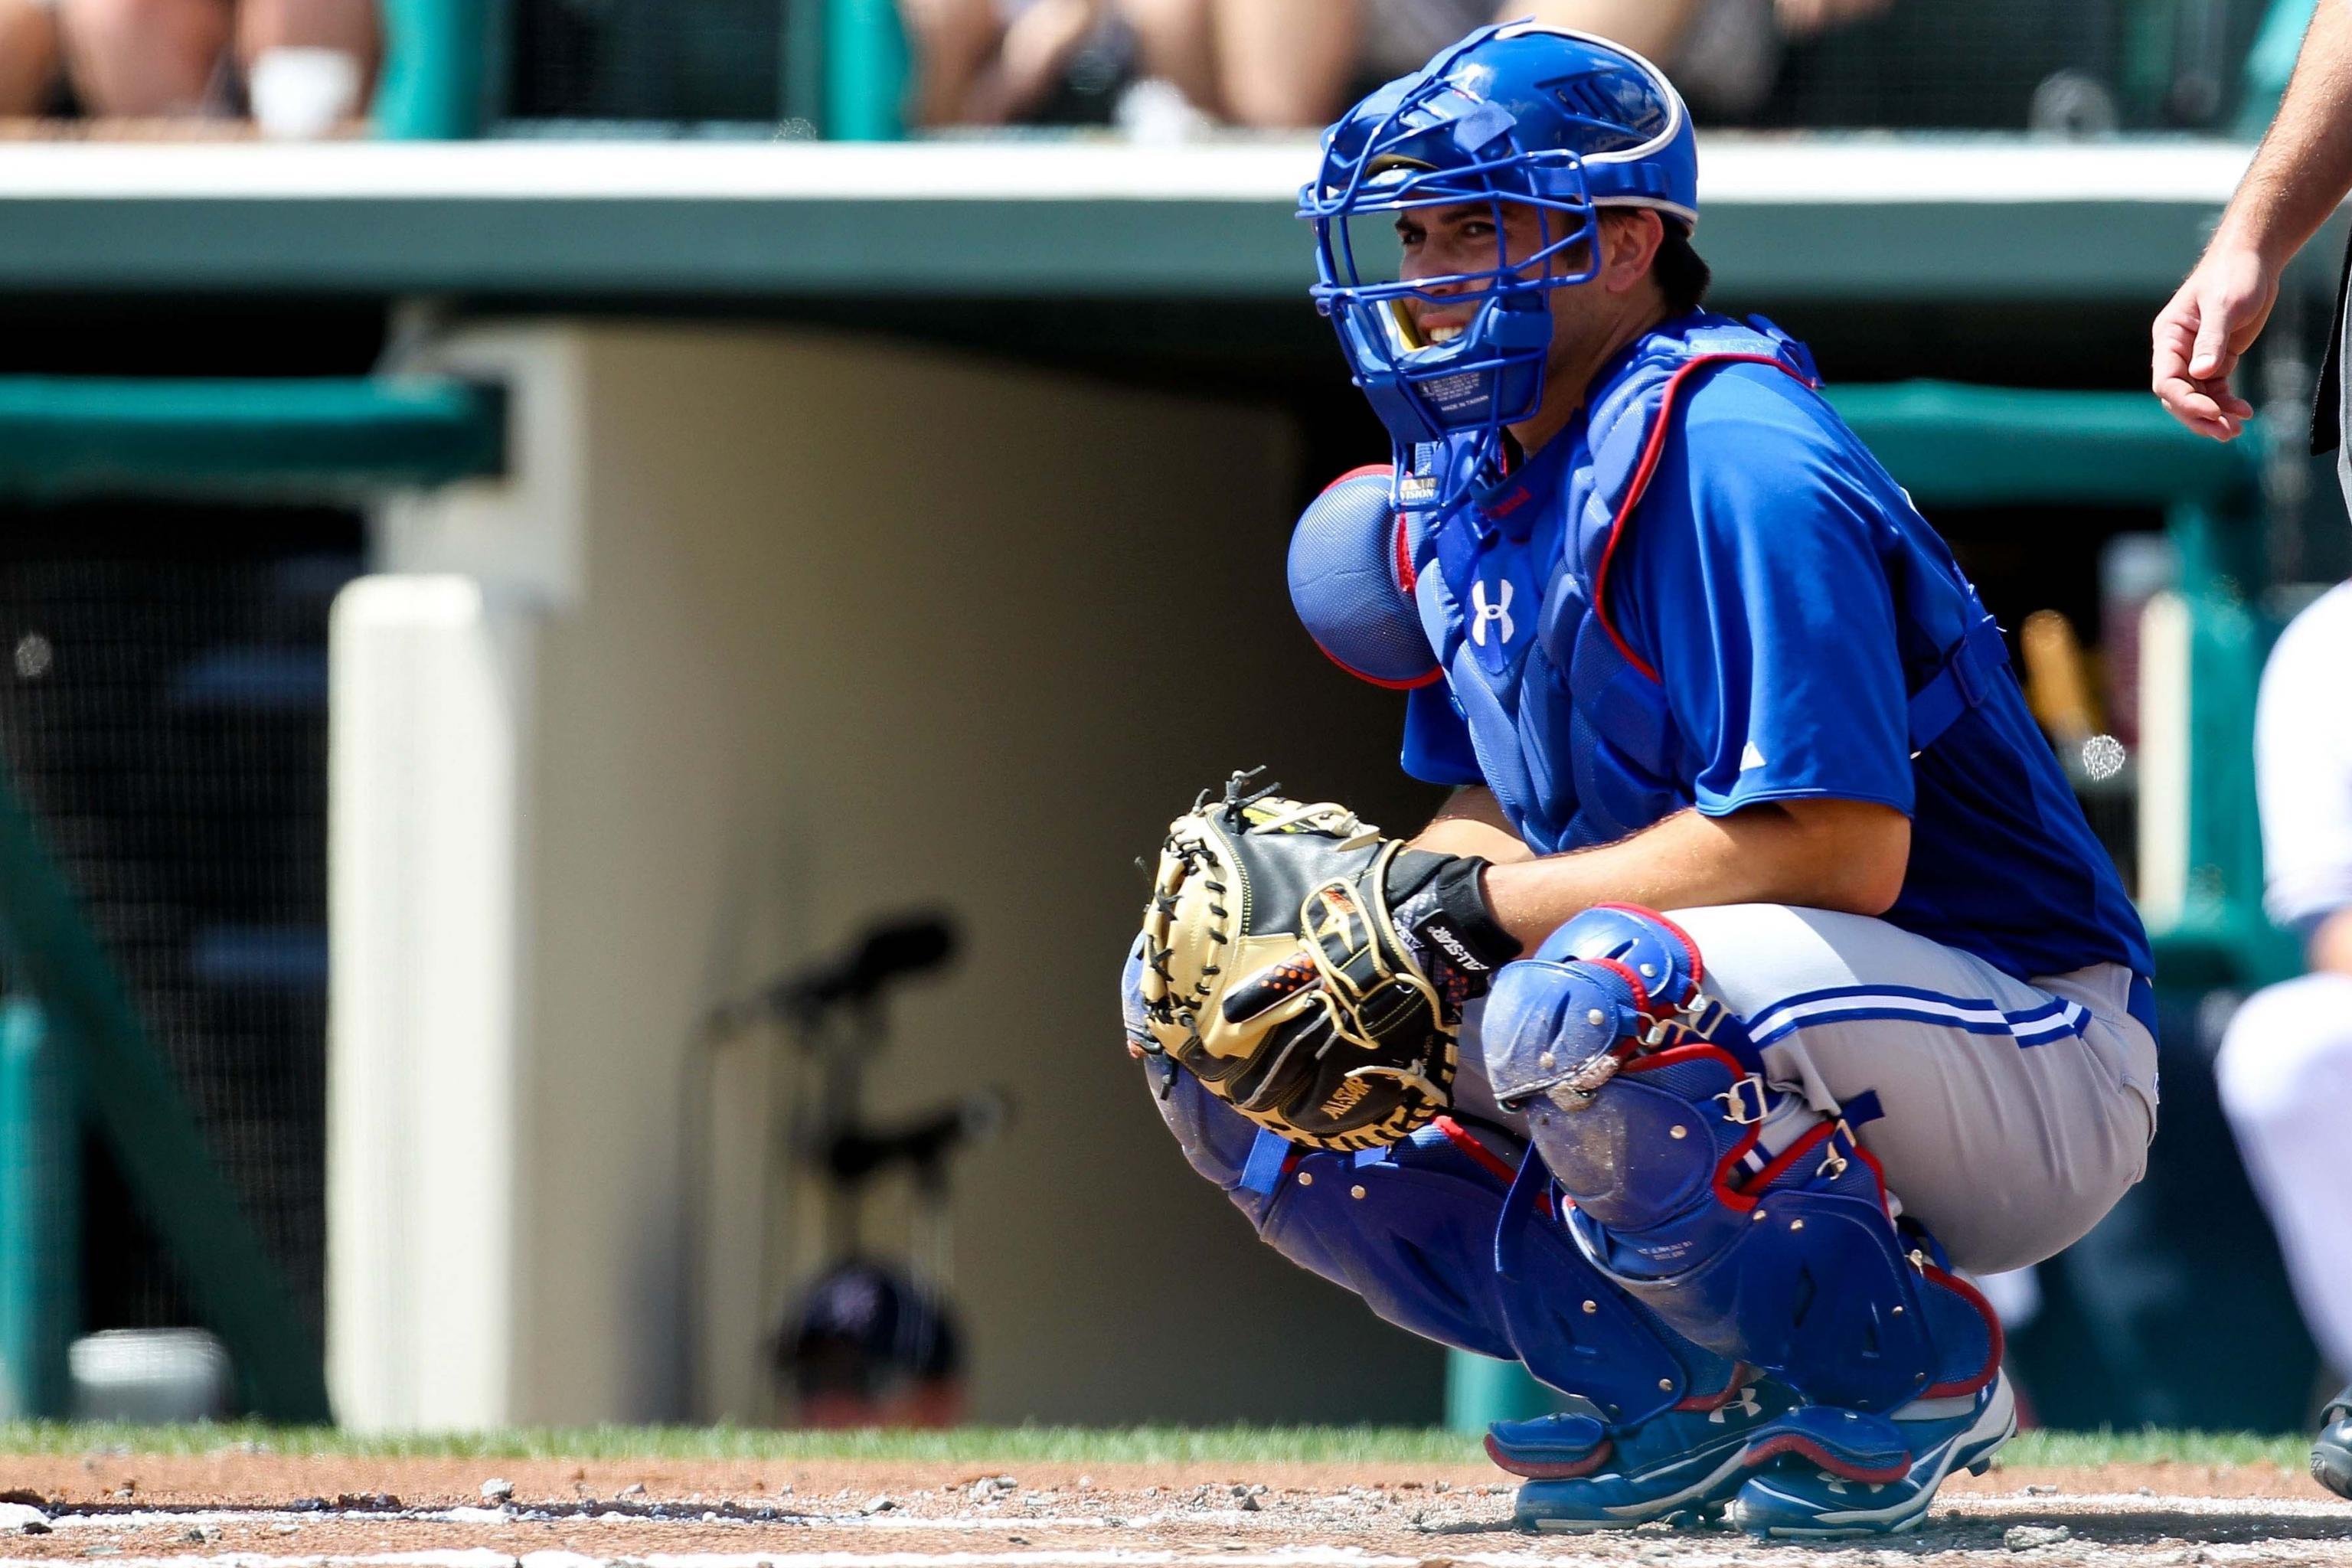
<point x="1652" y="1115"/>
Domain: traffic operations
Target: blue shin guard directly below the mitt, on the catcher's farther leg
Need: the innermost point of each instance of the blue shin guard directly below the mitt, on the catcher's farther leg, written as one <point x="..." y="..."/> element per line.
<point x="1438" y="1238"/>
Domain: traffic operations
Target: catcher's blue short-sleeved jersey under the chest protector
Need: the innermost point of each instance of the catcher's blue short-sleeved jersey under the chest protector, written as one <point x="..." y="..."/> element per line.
<point x="1763" y="582"/>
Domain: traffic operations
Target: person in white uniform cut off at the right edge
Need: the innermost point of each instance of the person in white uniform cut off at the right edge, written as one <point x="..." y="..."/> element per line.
<point x="2287" y="1061"/>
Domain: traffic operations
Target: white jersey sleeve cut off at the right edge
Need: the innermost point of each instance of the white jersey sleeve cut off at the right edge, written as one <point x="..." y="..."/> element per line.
<point x="2304" y="768"/>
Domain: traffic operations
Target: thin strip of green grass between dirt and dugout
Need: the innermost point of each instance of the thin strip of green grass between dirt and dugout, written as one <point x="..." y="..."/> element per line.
<point x="1017" y="1445"/>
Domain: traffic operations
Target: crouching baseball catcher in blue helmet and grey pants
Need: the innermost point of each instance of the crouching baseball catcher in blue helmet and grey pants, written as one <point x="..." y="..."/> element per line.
<point x="1760" y="970"/>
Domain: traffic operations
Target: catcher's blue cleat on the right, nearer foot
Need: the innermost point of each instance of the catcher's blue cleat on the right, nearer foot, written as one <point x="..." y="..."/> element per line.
<point x="1798" y="1499"/>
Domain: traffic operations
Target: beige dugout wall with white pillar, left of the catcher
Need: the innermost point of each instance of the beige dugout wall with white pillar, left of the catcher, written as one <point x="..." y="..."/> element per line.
<point x="787" y="631"/>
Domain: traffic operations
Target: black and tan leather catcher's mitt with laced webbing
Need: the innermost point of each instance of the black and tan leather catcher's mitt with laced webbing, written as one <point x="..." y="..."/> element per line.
<point x="1276" y="967"/>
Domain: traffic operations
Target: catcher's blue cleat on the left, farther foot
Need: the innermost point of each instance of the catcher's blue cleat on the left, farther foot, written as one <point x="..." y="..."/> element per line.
<point x="1683" y="1466"/>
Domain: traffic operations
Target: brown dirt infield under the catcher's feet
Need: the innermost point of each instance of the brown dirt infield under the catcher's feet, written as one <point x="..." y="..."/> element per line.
<point x="260" y="1510"/>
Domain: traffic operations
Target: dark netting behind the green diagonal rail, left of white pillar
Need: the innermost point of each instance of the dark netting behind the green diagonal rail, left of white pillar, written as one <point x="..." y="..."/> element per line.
<point x="163" y="709"/>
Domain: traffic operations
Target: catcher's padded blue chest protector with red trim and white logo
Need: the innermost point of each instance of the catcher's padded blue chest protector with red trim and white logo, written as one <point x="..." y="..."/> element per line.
<point x="1572" y="730"/>
